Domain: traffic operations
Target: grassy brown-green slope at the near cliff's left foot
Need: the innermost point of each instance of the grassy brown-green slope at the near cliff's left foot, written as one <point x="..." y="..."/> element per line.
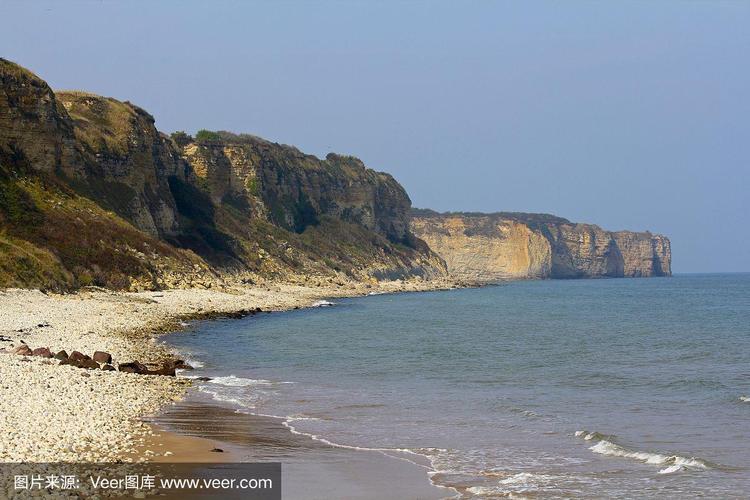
<point x="50" y="237"/>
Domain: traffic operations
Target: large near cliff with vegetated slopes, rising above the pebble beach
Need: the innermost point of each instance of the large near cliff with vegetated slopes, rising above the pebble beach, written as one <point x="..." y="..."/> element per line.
<point x="92" y="193"/>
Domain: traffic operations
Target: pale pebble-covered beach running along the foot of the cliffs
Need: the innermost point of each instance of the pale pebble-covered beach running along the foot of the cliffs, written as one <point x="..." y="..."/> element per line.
<point x="95" y="415"/>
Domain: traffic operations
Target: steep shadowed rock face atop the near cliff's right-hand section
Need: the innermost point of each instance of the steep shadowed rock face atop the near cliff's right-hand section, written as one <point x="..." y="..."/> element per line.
<point x="294" y="190"/>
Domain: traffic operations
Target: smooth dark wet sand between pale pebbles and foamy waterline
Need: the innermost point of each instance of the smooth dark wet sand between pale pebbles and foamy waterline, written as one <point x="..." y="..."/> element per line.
<point x="310" y="469"/>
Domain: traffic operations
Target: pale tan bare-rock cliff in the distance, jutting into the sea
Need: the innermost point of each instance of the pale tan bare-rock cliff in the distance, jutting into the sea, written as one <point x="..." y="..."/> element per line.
<point x="493" y="247"/>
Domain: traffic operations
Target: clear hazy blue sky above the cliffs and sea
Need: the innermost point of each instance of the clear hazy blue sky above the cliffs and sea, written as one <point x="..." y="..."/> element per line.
<point x="628" y="114"/>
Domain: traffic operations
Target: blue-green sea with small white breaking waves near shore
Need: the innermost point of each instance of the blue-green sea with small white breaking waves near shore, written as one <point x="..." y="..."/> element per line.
<point x="588" y="388"/>
